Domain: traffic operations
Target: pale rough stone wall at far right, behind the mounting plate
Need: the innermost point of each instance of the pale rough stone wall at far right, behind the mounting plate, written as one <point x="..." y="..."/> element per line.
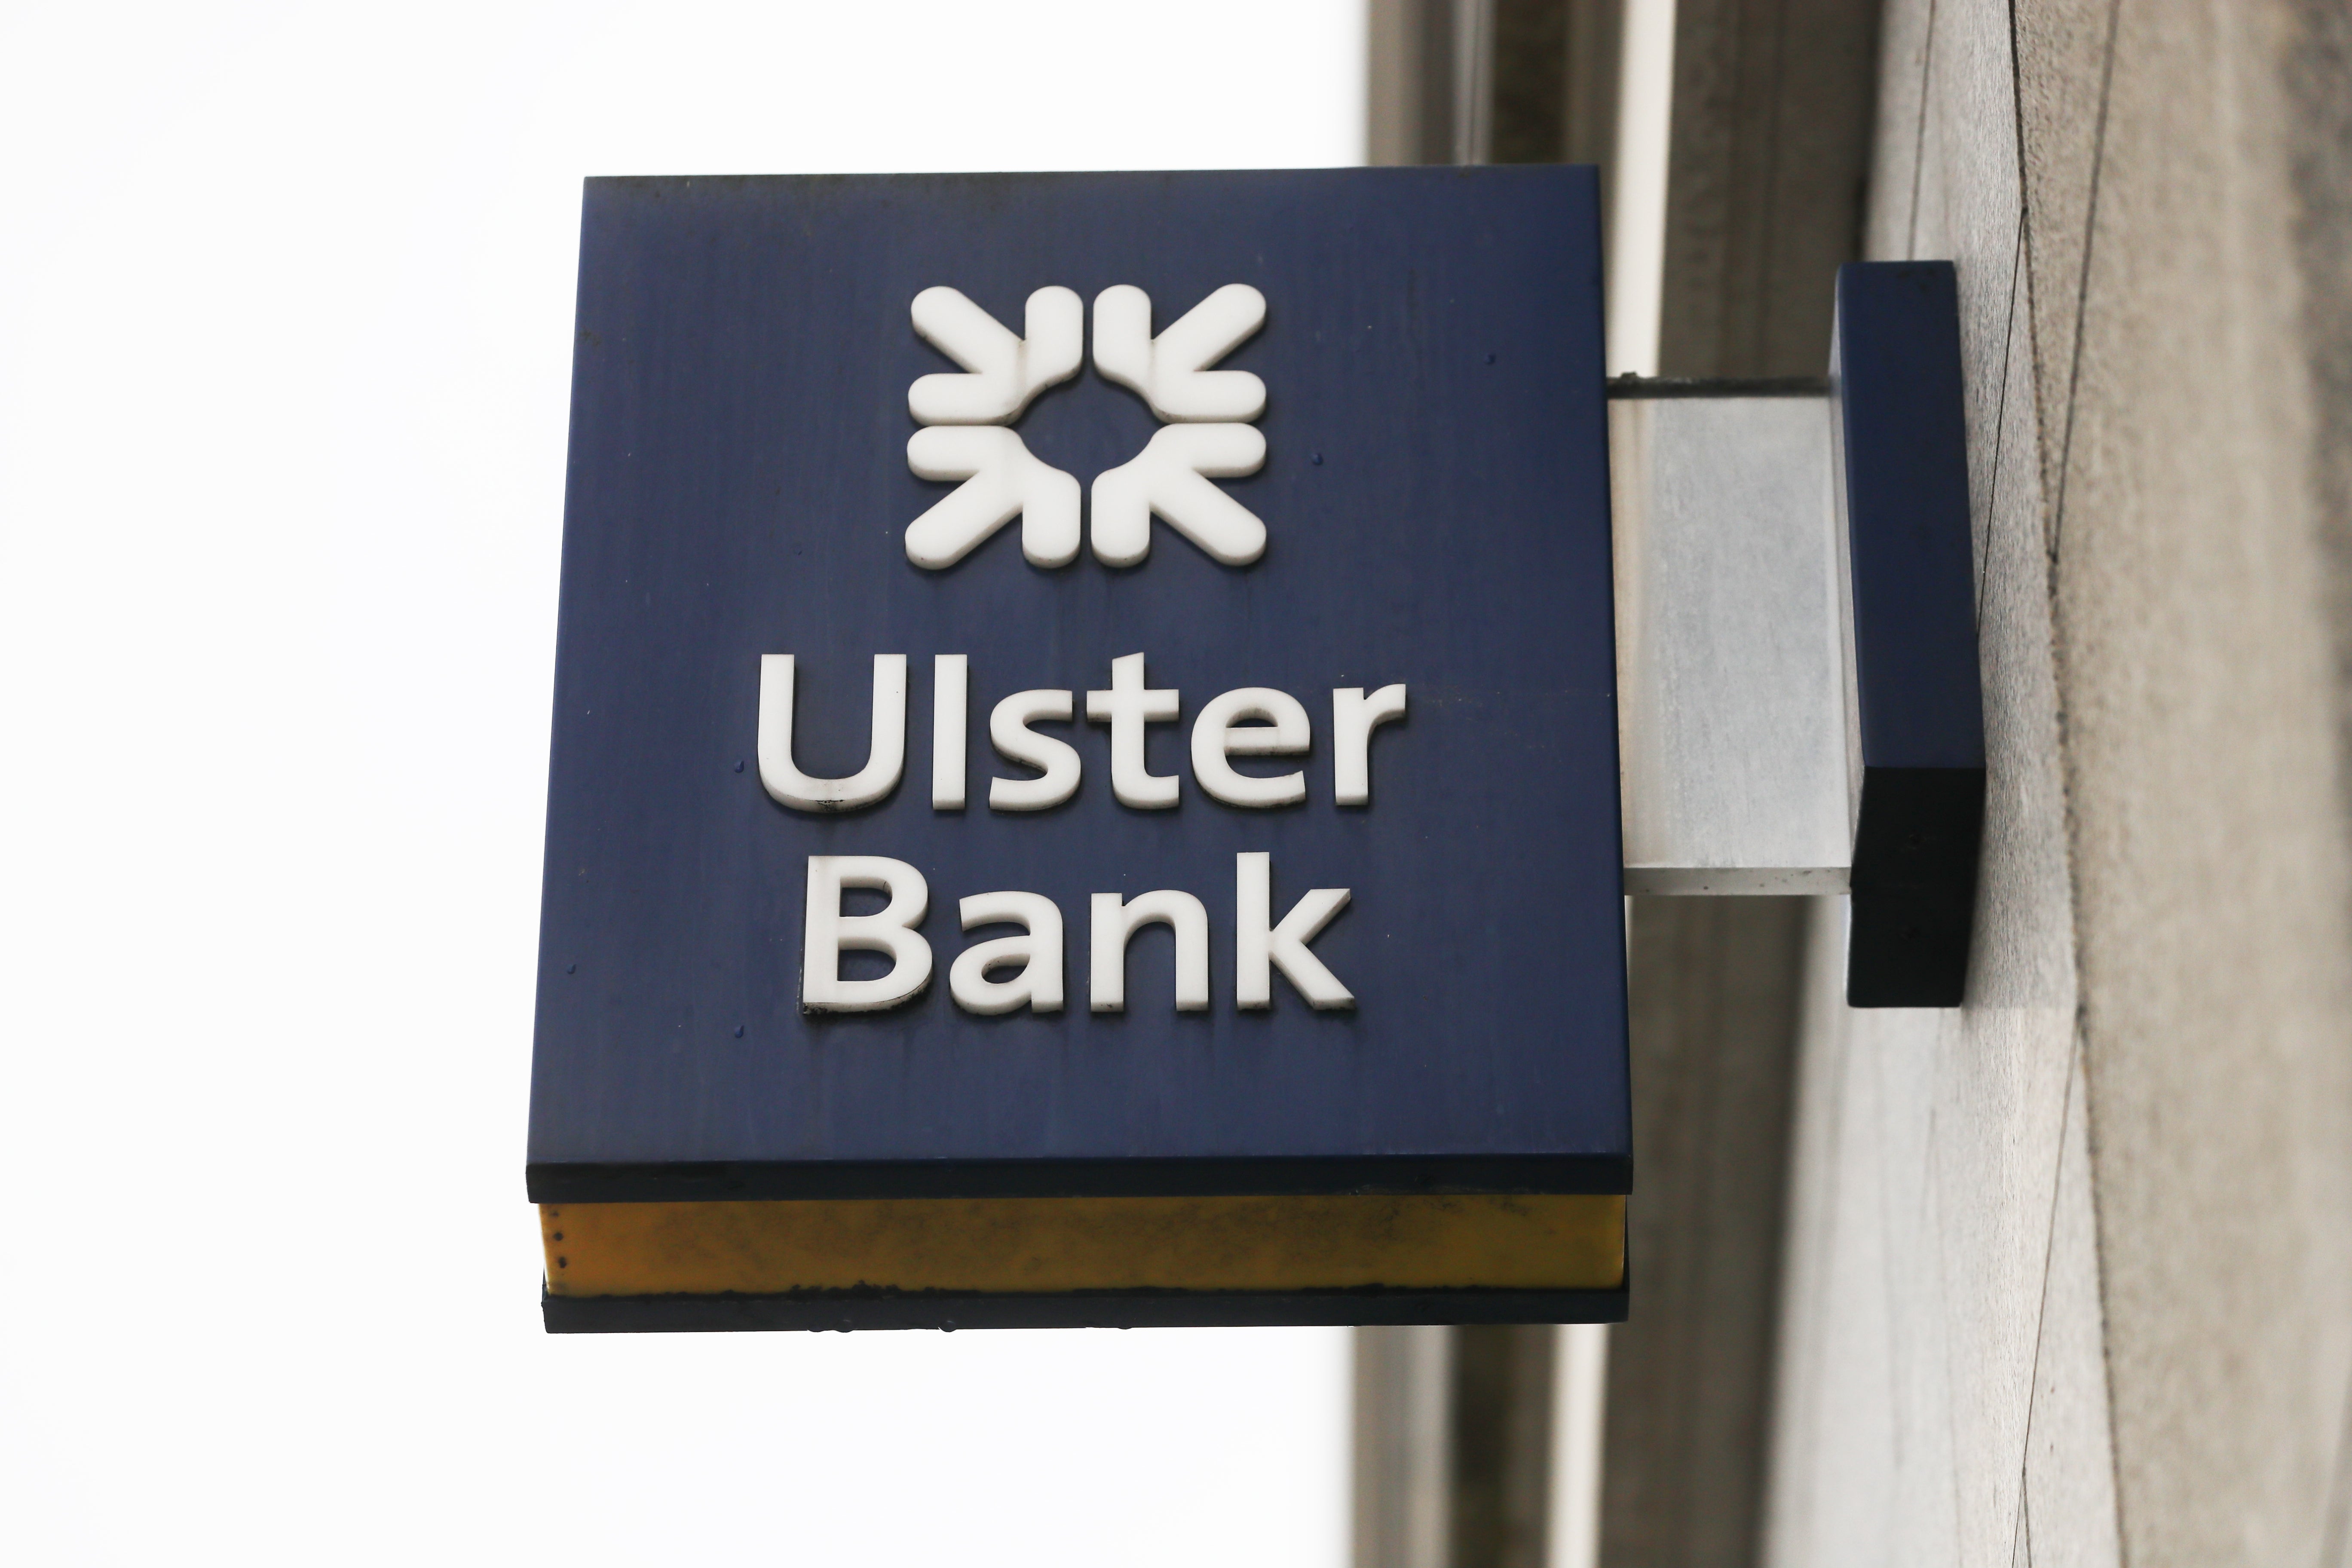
<point x="2071" y="1268"/>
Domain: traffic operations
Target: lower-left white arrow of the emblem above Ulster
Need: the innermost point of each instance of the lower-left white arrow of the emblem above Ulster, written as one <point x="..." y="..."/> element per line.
<point x="1001" y="478"/>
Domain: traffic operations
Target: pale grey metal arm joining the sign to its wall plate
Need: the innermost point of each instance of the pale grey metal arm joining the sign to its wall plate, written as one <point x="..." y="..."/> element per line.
<point x="1732" y="685"/>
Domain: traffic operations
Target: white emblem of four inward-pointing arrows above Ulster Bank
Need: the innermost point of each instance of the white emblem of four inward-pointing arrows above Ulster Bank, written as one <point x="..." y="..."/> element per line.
<point x="970" y="436"/>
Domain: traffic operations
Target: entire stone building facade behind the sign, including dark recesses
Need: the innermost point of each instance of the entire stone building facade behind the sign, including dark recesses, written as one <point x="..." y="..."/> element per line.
<point x="2062" y="1275"/>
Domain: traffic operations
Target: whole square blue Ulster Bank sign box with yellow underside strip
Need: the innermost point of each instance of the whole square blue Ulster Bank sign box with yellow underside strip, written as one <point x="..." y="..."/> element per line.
<point x="1085" y="756"/>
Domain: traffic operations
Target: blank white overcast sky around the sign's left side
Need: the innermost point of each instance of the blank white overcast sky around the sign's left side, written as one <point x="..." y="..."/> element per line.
<point x="286" y="309"/>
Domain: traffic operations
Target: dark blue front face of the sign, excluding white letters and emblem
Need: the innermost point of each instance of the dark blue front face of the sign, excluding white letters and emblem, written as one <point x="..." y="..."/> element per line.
<point x="1438" y="511"/>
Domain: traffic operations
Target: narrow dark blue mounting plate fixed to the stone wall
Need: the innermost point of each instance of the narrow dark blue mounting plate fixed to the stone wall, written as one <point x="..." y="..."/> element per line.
<point x="1916" y="713"/>
